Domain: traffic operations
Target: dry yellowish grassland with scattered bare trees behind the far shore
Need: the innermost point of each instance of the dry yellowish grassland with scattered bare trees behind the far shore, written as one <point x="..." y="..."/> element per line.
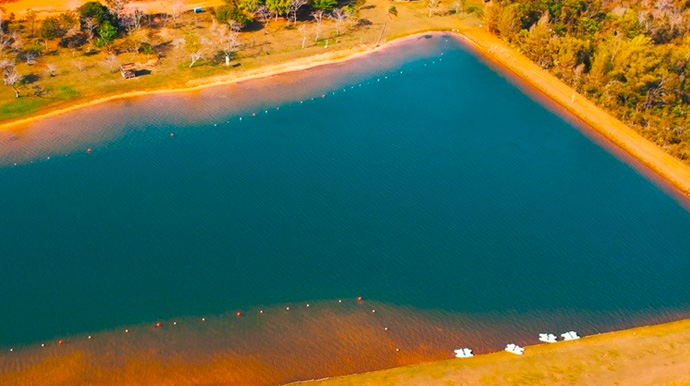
<point x="82" y="77"/>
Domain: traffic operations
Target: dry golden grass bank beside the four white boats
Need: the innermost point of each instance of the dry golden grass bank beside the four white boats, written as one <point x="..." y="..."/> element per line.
<point x="654" y="355"/>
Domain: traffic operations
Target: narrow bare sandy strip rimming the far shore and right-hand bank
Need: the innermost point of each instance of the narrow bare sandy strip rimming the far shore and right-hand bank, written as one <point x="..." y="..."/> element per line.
<point x="618" y="138"/>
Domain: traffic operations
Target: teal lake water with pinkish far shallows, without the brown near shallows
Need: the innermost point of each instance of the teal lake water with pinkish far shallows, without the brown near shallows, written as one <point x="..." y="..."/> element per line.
<point x="441" y="187"/>
